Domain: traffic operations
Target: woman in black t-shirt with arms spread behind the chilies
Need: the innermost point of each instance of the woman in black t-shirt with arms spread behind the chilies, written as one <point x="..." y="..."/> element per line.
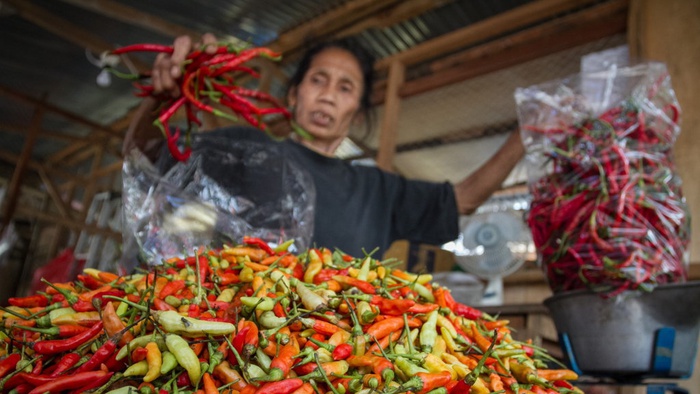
<point x="357" y="208"/>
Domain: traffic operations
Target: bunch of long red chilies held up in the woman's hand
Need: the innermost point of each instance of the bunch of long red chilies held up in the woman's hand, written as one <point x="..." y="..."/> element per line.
<point x="208" y="84"/>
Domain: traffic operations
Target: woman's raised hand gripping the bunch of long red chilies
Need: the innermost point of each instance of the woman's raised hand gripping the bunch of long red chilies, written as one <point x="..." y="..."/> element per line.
<point x="167" y="68"/>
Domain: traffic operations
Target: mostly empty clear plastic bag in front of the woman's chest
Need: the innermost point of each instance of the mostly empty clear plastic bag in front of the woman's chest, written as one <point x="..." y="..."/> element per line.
<point x="228" y="189"/>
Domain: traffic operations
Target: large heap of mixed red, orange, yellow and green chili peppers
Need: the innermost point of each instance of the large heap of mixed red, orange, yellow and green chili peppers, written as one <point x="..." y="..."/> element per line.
<point x="252" y="319"/>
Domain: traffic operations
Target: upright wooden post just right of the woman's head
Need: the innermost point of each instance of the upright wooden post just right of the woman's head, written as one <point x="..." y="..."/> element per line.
<point x="387" y="140"/>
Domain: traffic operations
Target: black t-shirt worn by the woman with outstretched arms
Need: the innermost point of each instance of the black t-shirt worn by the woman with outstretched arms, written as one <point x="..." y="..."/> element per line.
<point x="359" y="207"/>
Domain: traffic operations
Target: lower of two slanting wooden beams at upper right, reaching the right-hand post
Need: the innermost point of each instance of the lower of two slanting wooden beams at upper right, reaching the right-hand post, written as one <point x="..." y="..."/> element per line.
<point x="578" y="35"/>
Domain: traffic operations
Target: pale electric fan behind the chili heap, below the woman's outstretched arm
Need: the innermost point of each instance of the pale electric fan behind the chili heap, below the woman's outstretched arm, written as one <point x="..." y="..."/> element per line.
<point x="490" y="246"/>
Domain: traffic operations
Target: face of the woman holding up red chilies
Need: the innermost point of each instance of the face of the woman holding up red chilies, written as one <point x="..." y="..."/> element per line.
<point x="328" y="98"/>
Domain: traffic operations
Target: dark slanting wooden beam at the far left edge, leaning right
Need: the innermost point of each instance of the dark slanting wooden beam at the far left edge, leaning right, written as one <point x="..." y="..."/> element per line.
<point x="14" y="189"/>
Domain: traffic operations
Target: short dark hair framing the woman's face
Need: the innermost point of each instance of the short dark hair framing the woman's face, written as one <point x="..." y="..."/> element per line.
<point x="364" y="58"/>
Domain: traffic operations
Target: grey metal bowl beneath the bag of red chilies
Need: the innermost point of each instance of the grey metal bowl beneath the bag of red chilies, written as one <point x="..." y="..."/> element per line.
<point x="632" y="336"/>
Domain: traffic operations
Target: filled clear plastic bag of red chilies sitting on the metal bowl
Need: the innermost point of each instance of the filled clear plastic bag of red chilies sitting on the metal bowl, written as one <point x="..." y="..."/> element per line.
<point x="608" y="213"/>
